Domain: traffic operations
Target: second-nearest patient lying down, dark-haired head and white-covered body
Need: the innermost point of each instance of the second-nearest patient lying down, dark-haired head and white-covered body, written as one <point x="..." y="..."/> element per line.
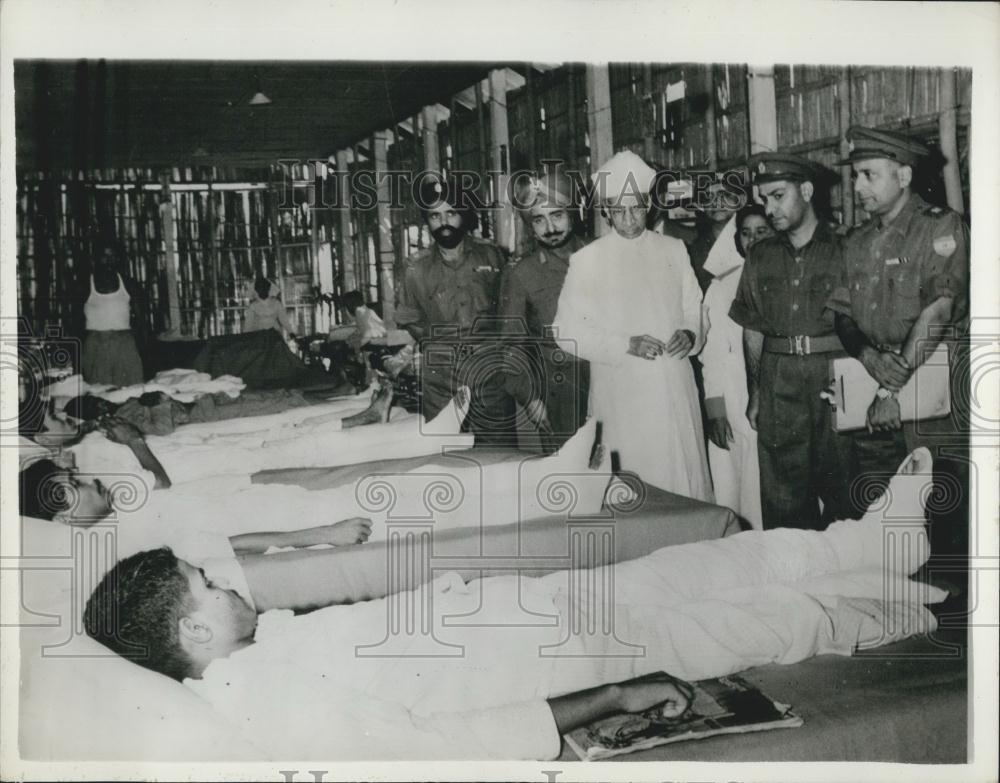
<point x="483" y="494"/>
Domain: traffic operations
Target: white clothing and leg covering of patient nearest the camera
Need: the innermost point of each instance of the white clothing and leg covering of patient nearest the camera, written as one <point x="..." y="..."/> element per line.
<point x="697" y="610"/>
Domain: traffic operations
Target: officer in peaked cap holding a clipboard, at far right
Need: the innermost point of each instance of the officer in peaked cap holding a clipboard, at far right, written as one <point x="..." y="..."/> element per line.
<point x="907" y="273"/>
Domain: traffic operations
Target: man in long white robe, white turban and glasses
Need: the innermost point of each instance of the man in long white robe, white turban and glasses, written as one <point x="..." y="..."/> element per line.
<point x="631" y="305"/>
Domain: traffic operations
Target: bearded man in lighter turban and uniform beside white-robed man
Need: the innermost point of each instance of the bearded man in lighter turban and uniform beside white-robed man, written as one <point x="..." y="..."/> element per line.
<point x="551" y="384"/>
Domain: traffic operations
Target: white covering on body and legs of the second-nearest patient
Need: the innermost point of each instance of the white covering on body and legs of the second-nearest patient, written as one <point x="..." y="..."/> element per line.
<point x="469" y="495"/>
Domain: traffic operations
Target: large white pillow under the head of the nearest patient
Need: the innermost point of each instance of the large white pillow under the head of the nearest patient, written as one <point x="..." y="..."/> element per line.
<point x="78" y="701"/>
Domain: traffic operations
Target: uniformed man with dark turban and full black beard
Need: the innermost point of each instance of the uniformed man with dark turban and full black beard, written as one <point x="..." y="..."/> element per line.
<point x="447" y="302"/>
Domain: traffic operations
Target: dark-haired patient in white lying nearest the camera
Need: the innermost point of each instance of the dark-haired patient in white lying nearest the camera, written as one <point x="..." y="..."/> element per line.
<point x="507" y="648"/>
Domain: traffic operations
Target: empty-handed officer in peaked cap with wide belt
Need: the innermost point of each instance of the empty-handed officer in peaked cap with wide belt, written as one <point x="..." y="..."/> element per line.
<point x="789" y="340"/>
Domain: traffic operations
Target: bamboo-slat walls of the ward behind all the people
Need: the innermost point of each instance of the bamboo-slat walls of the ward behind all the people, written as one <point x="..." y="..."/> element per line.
<point x="225" y="237"/>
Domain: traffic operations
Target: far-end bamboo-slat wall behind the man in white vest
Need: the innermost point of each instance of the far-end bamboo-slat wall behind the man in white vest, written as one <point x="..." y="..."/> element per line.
<point x="224" y="235"/>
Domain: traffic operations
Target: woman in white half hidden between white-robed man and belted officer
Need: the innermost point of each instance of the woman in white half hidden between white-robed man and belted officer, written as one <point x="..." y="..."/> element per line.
<point x="732" y="447"/>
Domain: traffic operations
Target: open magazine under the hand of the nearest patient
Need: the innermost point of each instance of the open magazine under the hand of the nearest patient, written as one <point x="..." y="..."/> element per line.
<point x="727" y="705"/>
